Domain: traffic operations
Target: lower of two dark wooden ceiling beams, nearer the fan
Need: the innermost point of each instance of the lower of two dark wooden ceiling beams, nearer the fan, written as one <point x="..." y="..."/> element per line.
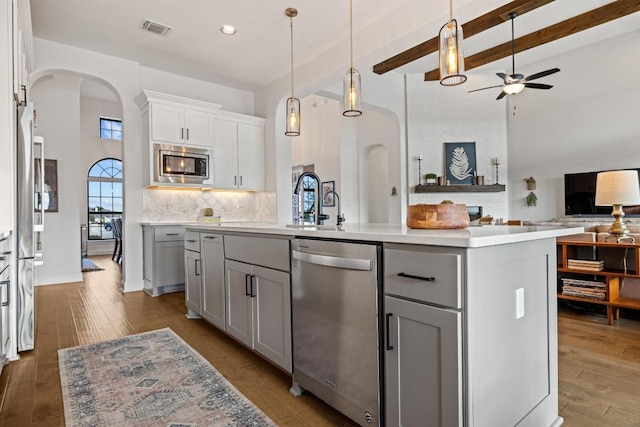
<point x="592" y="18"/>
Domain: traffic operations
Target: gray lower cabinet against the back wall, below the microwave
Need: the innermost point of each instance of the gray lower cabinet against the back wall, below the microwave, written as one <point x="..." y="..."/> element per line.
<point x="163" y="270"/>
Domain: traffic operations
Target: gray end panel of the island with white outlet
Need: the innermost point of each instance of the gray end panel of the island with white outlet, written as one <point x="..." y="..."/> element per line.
<point x="511" y="330"/>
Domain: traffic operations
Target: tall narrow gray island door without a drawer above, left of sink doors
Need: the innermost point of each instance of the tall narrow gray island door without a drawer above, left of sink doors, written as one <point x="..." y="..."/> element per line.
<point x="212" y="256"/>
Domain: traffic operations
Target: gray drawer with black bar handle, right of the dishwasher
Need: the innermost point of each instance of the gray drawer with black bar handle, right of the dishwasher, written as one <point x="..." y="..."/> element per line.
<point x="423" y="274"/>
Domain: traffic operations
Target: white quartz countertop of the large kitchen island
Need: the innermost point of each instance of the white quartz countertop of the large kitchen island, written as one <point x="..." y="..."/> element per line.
<point x="471" y="237"/>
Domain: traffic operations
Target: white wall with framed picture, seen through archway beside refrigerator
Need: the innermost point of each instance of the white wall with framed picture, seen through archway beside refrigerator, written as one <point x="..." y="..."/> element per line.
<point x="58" y="106"/>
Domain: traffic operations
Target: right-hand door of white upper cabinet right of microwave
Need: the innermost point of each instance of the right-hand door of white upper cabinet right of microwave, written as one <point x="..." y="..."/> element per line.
<point x="250" y="157"/>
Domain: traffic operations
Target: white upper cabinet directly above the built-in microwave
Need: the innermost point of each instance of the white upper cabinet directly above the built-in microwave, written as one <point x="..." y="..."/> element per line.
<point x="176" y="120"/>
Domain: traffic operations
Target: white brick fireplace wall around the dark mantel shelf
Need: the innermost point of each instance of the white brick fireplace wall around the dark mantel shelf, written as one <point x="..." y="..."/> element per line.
<point x="438" y="114"/>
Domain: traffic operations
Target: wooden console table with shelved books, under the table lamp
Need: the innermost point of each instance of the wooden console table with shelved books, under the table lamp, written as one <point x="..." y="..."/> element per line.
<point x="579" y="281"/>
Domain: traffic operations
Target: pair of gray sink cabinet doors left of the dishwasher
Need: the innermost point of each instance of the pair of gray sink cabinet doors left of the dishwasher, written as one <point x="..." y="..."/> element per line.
<point x="259" y="310"/>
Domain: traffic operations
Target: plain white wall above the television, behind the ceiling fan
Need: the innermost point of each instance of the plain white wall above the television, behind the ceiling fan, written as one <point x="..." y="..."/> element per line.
<point x="587" y="122"/>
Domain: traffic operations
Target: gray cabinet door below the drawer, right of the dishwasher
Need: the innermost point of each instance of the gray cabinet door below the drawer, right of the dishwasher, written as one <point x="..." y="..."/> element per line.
<point x="423" y="365"/>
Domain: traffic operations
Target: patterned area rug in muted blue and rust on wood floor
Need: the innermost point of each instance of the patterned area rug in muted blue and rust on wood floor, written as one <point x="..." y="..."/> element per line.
<point x="149" y="379"/>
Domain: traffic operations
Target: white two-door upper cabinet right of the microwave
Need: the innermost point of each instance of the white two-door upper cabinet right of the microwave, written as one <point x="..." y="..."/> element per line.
<point x="238" y="152"/>
